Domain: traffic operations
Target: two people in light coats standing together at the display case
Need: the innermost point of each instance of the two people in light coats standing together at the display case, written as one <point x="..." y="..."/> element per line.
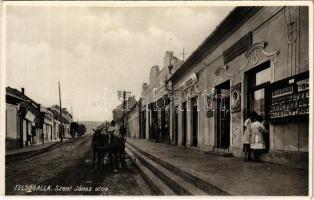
<point x="253" y="136"/>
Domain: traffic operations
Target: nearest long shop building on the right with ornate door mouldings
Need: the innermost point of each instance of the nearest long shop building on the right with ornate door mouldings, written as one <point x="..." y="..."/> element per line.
<point x="257" y="59"/>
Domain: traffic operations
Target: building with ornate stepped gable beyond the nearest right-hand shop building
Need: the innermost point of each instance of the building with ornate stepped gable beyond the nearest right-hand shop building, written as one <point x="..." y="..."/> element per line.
<point x="154" y="101"/>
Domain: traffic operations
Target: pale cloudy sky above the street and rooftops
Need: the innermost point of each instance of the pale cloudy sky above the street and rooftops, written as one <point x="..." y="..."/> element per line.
<point x="96" y="51"/>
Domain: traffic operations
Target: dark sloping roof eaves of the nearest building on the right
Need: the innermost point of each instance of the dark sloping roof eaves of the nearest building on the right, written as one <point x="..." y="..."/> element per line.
<point x="236" y="18"/>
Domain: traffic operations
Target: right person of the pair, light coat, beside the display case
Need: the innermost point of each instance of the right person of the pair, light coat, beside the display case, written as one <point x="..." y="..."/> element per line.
<point x="257" y="140"/>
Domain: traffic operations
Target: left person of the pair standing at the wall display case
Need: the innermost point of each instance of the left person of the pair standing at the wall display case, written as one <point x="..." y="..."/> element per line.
<point x="247" y="136"/>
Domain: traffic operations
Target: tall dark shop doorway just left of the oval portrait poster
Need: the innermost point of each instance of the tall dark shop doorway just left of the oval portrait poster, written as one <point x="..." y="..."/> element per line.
<point x="223" y="115"/>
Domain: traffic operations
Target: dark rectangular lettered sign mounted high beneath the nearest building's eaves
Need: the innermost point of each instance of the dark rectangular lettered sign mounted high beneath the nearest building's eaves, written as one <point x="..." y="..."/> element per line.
<point x="238" y="48"/>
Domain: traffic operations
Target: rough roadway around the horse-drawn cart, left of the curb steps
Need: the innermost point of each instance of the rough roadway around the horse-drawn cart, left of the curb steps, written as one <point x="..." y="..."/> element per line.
<point x="67" y="170"/>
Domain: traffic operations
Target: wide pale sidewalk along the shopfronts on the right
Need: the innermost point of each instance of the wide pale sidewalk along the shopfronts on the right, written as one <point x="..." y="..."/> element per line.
<point x="230" y="174"/>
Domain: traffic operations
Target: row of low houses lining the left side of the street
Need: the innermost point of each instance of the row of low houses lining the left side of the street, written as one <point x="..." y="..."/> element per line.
<point x="29" y="123"/>
